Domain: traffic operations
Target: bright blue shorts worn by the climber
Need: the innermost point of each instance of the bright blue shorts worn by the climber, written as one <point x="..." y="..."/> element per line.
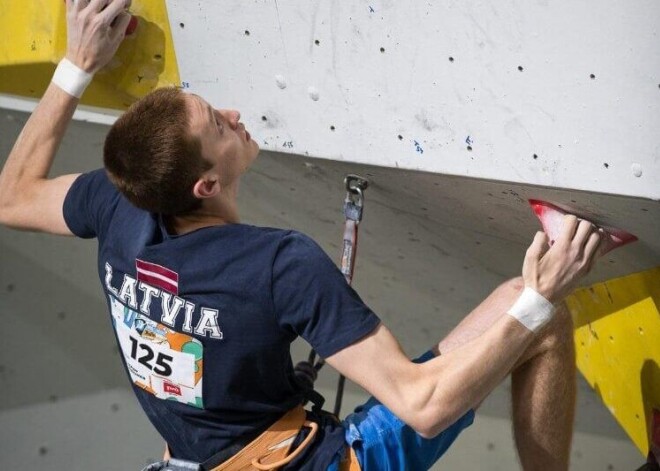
<point x="382" y="441"/>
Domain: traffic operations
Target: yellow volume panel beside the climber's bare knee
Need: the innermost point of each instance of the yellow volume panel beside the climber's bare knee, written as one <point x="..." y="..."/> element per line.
<point x="617" y="341"/>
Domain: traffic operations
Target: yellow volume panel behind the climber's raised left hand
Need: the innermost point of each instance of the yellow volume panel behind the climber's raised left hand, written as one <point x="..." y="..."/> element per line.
<point x="33" y="35"/>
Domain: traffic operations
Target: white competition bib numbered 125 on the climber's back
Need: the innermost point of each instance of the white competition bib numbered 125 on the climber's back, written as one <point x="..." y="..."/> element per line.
<point x="166" y="363"/>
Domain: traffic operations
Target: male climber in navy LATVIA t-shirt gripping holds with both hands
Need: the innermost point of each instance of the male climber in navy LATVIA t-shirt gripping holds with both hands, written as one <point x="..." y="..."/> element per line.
<point x="205" y="308"/>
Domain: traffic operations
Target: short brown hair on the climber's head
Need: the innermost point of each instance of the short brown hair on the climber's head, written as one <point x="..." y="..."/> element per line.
<point x="151" y="156"/>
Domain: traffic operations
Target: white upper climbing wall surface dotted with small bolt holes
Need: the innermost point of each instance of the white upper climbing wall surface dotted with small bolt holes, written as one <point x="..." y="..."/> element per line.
<point x="576" y="85"/>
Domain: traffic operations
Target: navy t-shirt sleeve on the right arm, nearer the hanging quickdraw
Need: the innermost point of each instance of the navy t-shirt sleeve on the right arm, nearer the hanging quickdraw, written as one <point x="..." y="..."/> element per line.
<point x="312" y="298"/>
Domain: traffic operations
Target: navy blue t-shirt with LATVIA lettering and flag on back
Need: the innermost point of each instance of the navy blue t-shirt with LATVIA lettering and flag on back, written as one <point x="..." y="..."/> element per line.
<point x="205" y="320"/>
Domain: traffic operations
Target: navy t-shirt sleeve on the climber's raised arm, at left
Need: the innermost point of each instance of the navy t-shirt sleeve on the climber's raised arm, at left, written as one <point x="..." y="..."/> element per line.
<point x="89" y="204"/>
